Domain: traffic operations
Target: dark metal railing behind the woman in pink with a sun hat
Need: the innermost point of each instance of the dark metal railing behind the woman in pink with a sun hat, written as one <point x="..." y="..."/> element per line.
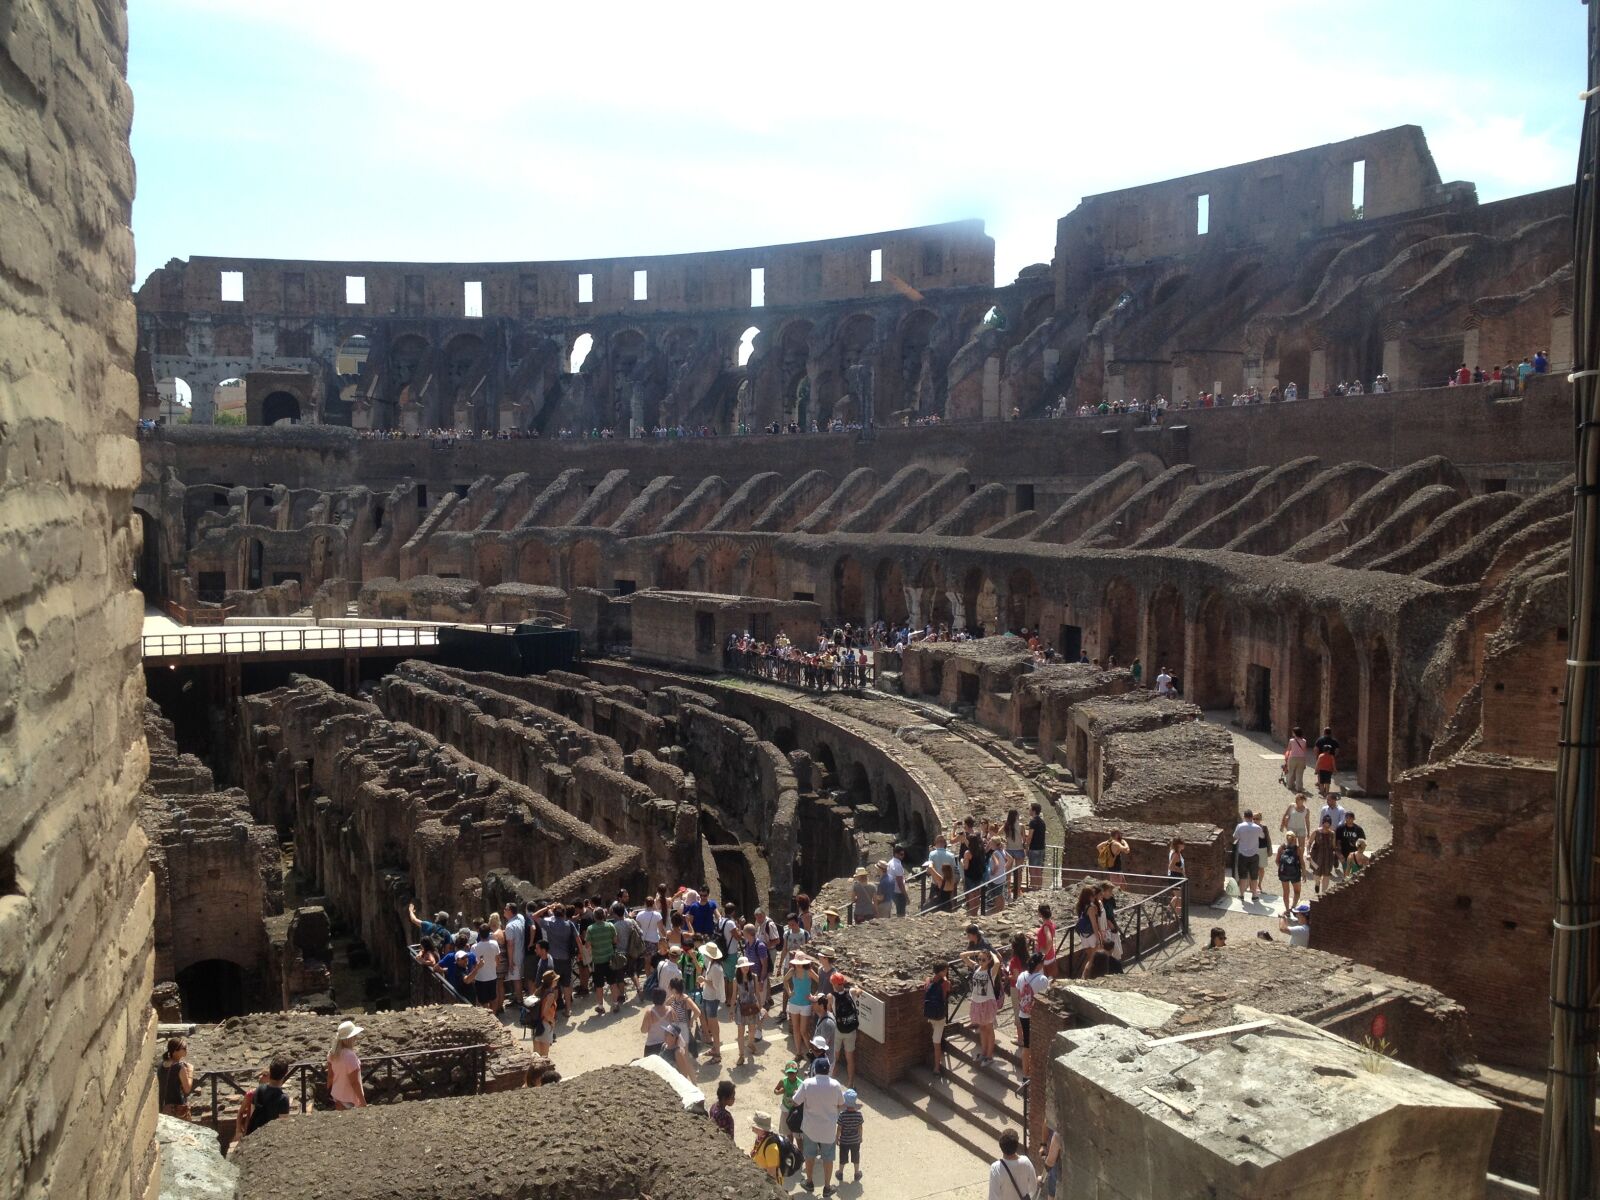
<point x="454" y="1071"/>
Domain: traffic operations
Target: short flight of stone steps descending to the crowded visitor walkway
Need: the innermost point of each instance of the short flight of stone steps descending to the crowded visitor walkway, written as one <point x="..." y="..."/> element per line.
<point x="970" y="1105"/>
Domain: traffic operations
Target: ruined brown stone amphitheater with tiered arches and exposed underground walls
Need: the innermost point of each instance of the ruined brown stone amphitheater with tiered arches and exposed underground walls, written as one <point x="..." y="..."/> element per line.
<point x="482" y="607"/>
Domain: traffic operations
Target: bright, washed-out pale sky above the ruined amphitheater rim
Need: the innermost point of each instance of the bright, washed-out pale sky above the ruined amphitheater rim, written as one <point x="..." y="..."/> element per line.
<point x="486" y="132"/>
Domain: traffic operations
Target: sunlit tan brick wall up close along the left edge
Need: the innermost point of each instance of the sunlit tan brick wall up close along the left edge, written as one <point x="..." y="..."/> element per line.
<point x="76" y="895"/>
